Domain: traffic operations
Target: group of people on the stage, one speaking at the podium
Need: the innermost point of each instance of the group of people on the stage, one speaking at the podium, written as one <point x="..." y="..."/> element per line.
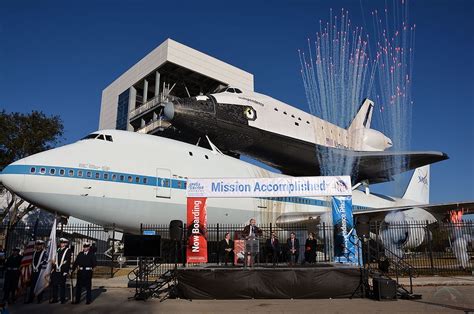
<point x="273" y="249"/>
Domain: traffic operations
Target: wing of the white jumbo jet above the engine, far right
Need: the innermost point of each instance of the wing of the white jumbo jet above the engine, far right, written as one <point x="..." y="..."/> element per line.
<point x="440" y="211"/>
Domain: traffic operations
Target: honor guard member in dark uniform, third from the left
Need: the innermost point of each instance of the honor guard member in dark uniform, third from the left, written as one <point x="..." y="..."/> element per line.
<point x="60" y="271"/>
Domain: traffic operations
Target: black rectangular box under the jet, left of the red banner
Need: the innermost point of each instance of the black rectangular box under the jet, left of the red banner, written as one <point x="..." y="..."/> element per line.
<point x="141" y="245"/>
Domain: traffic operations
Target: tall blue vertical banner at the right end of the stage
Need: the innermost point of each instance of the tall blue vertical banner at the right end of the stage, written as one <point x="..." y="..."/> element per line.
<point x="346" y="242"/>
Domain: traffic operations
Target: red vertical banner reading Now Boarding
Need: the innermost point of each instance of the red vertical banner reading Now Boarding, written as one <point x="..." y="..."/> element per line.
<point x="196" y="251"/>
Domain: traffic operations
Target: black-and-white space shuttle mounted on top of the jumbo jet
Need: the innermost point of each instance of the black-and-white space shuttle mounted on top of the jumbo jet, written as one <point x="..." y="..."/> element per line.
<point x="289" y="139"/>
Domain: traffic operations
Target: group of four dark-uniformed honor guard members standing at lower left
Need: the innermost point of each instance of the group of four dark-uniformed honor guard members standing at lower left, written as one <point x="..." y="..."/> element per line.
<point x="61" y="269"/>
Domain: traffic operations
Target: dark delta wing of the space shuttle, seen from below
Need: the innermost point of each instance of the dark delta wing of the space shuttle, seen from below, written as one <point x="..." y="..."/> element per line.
<point x="299" y="158"/>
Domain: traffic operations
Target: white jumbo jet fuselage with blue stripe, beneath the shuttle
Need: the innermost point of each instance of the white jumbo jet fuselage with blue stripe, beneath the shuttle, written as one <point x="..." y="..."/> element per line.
<point x="138" y="178"/>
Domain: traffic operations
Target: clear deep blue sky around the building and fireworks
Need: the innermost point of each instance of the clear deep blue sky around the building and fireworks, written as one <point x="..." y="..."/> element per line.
<point x="58" y="56"/>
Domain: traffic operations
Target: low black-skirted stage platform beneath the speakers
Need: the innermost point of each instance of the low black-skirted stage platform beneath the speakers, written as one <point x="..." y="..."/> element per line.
<point x="318" y="281"/>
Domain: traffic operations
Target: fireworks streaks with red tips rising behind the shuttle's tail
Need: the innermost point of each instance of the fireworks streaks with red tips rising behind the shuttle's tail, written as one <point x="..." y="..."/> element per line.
<point x="343" y="66"/>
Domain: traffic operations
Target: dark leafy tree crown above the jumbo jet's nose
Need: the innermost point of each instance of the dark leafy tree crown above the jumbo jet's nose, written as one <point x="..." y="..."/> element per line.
<point x="22" y="134"/>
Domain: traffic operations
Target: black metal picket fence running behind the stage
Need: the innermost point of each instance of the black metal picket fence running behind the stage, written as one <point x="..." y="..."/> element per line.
<point x="430" y="248"/>
